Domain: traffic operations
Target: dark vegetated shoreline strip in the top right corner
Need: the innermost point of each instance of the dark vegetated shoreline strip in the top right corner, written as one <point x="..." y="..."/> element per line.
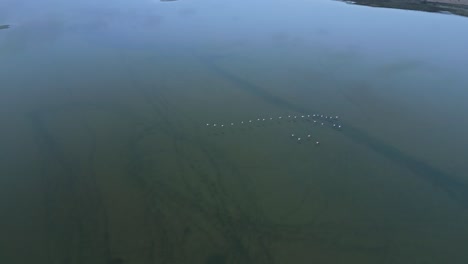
<point x="417" y="5"/>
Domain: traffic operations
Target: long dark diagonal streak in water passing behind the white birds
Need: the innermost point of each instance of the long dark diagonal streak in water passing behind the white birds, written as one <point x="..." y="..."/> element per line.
<point x="450" y="184"/>
